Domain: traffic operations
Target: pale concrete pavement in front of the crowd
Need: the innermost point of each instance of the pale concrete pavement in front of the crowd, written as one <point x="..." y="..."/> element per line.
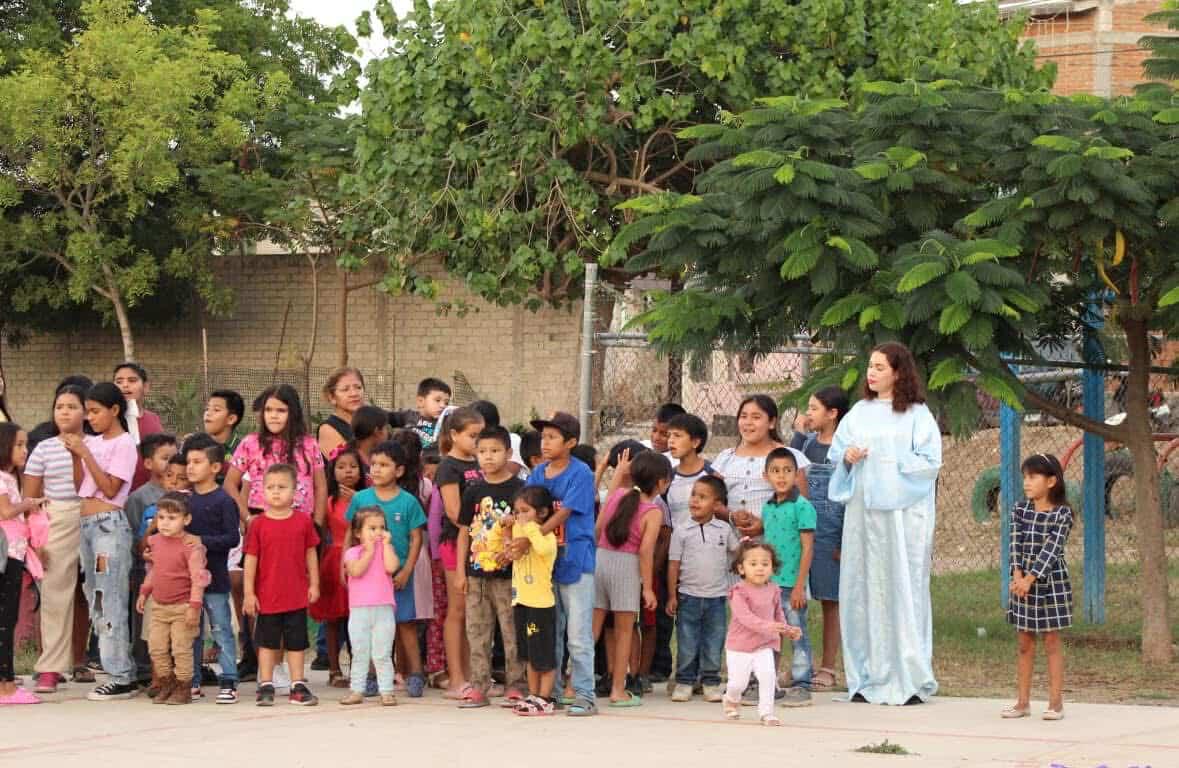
<point x="70" y="731"/>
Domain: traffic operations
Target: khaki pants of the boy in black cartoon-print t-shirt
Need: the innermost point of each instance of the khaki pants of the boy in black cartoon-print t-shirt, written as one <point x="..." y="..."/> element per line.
<point x="490" y="600"/>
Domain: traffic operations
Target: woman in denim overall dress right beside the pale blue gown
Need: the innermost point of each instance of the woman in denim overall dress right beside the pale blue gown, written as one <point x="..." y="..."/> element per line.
<point x="824" y="413"/>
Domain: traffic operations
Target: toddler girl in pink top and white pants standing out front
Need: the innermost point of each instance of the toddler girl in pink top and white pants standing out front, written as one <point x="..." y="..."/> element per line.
<point x="755" y="631"/>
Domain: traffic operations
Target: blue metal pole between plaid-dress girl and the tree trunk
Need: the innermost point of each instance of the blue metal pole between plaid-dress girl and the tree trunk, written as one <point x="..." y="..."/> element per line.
<point x="1094" y="485"/>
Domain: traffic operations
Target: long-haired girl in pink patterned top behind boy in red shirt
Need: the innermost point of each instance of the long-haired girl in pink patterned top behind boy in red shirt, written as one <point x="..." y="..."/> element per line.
<point x="281" y="438"/>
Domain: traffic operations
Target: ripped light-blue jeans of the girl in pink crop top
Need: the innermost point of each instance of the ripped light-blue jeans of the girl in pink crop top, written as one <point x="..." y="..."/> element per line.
<point x="107" y="562"/>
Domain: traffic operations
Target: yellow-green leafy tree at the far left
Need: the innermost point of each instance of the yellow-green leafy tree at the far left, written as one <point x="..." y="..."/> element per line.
<point x="91" y="136"/>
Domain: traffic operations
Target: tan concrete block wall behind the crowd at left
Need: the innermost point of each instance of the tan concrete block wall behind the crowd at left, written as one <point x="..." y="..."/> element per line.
<point x="524" y="362"/>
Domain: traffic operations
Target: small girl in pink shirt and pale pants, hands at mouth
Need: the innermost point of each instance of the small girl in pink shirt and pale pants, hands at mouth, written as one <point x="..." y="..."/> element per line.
<point x="372" y="622"/>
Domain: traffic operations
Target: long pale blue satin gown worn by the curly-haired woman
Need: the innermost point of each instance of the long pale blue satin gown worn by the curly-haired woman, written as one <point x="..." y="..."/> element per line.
<point x="887" y="554"/>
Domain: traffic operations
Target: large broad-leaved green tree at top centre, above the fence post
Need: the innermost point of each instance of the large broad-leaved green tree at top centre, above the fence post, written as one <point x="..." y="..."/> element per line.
<point x="500" y="135"/>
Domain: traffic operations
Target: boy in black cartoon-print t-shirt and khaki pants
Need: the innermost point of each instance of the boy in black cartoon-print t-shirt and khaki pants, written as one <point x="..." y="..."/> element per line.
<point x="483" y="573"/>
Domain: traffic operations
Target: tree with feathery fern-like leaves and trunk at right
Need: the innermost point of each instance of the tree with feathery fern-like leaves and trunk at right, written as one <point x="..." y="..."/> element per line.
<point x="970" y="224"/>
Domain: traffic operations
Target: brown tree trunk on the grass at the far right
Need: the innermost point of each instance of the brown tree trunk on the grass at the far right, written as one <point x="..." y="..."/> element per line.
<point x="1148" y="504"/>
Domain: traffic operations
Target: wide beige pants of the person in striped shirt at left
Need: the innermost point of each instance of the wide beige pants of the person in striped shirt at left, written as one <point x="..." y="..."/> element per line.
<point x="58" y="587"/>
